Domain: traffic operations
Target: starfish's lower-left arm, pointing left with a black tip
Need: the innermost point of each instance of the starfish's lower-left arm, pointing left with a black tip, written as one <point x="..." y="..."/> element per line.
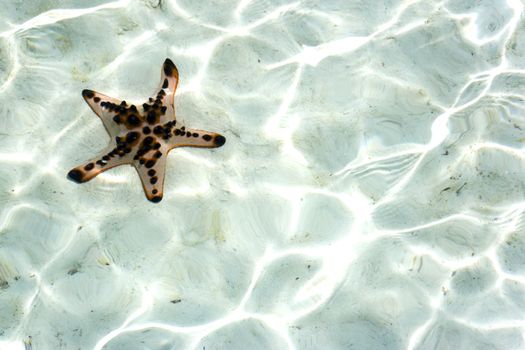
<point x="107" y="159"/>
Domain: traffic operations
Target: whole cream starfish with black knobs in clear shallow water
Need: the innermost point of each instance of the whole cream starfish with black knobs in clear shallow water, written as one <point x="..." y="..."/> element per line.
<point x="142" y="136"/>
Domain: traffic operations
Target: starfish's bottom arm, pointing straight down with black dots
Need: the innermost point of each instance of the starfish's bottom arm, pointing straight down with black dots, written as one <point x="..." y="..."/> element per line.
<point x="151" y="172"/>
